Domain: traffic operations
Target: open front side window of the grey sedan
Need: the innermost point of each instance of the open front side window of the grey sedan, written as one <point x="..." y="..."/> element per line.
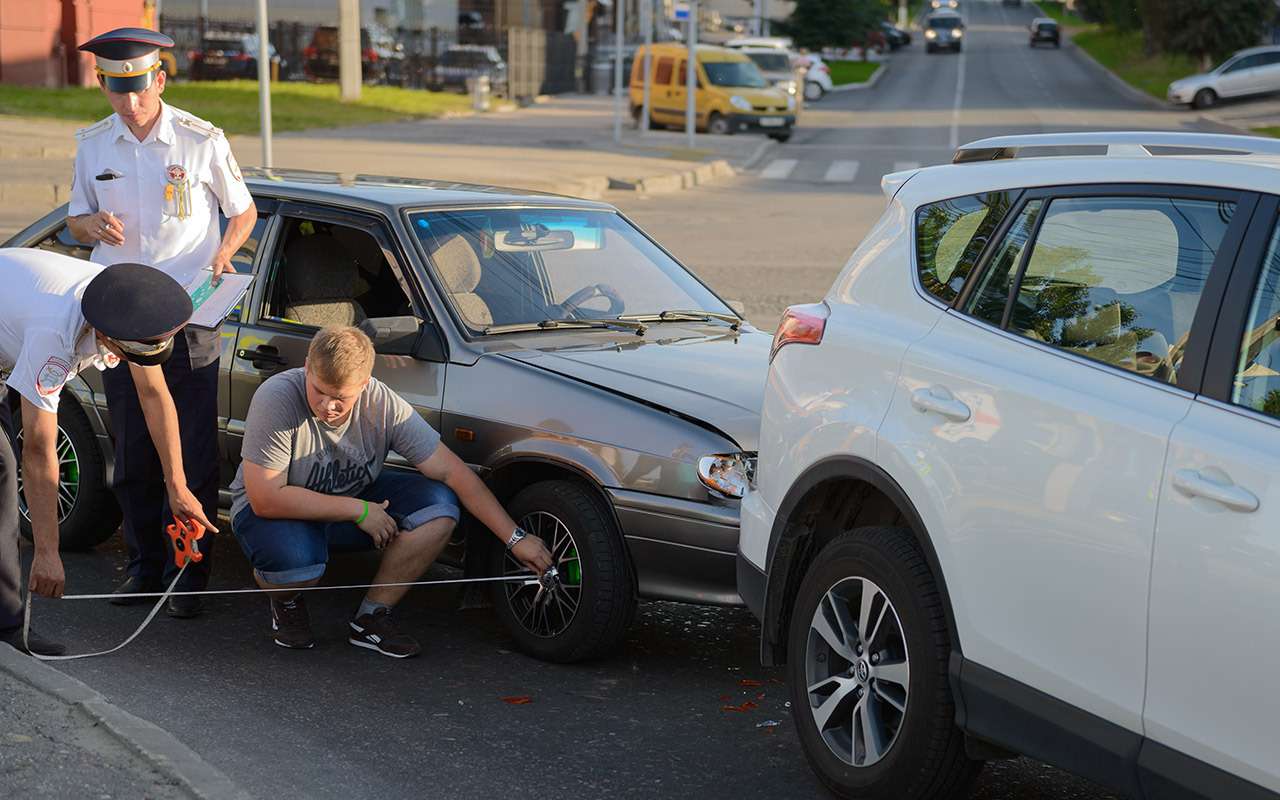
<point x="332" y="275"/>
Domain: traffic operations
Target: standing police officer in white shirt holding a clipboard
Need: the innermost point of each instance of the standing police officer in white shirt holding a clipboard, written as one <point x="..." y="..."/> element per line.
<point x="148" y="188"/>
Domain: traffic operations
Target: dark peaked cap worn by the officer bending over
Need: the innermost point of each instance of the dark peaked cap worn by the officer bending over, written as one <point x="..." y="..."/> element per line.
<point x="140" y="309"/>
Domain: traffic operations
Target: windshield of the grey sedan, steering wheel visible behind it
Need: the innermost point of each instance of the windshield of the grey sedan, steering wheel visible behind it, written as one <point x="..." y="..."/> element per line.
<point x="525" y="267"/>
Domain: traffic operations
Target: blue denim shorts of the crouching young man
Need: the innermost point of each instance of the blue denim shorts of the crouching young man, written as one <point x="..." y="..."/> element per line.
<point x="296" y="551"/>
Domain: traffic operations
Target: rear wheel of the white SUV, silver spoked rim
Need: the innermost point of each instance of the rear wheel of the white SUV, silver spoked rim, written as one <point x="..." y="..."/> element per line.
<point x="924" y="753"/>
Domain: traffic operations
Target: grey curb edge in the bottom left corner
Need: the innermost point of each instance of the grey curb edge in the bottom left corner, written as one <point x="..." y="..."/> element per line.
<point x="150" y="742"/>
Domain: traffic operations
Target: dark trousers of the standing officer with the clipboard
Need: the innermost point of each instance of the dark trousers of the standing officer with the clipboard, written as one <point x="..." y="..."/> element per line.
<point x="139" y="477"/>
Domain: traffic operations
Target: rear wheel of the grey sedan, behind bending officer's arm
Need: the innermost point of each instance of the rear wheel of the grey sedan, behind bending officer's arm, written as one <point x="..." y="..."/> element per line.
<point x="92" y="515"/>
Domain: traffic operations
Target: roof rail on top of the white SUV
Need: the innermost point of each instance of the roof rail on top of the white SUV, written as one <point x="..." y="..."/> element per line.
<point x="1116" y="144"/>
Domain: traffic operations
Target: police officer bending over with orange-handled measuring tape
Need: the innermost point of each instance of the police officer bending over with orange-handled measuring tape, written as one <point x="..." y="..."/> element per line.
<point x="61" y="316"/>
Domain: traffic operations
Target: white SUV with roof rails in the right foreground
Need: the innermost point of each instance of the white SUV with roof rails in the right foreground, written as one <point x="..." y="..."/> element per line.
<point x="1020" y="476"/>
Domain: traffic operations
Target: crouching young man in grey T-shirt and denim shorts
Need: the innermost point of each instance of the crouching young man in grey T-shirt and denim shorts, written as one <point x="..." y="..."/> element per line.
<point x="312" y="482"/>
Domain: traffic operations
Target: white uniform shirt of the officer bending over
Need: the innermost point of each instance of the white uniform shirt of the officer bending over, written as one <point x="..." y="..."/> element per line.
<point x="44" y="337"/>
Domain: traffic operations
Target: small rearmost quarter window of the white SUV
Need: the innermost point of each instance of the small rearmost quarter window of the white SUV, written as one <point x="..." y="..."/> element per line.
<point x="950" y="236"/>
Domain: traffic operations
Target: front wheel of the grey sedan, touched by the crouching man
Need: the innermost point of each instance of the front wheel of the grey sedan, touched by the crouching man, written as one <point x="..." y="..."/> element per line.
<point x="596" y="574"/>
